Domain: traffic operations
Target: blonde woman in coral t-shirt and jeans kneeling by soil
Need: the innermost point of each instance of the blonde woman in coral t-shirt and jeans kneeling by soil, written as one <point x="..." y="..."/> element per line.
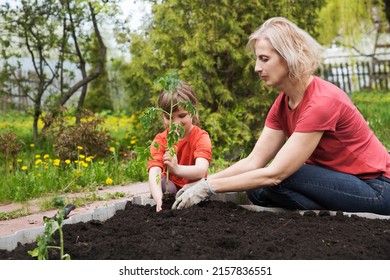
<point x="316" y="151"/>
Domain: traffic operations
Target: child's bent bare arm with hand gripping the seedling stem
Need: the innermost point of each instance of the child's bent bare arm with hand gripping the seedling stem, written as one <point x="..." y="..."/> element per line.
<point x="191" y="172"/>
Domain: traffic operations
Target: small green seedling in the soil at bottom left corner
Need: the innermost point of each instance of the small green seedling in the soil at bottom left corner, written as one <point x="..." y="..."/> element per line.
<point x="52" y="225"/>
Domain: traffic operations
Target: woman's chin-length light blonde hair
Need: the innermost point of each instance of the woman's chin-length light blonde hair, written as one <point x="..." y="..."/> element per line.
<point x="302" y="53"/>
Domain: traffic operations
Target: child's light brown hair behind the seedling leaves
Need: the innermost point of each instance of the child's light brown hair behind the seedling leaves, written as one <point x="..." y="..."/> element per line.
<point x="183" y="92"/>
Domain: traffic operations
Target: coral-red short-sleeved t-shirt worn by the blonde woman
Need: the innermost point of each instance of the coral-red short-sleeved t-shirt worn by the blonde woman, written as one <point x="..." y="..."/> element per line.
<point x="348" y="144"/>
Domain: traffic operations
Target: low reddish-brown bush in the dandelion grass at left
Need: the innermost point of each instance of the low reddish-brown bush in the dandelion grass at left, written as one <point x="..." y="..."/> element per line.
<point x="67" y="138"/>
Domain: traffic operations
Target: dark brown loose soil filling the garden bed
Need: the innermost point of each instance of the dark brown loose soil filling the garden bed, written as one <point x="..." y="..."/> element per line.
<point x="217" y="230"/>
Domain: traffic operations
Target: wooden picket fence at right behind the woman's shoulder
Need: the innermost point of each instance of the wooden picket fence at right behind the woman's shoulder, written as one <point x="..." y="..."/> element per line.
<point x="359" y="75"/>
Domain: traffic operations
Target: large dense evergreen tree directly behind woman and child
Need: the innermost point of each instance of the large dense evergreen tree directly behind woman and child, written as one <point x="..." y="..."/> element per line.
<point x="206" y="42"/>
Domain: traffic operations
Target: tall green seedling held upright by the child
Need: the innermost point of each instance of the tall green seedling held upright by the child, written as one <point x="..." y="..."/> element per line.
<point x="169" y="84"/>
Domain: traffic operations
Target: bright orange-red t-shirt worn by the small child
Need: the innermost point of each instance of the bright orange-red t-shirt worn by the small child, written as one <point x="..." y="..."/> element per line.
<point x="196" y="145"/>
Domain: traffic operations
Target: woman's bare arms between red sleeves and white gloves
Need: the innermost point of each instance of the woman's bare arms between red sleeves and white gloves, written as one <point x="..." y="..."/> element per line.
<point x="292" y="155"/>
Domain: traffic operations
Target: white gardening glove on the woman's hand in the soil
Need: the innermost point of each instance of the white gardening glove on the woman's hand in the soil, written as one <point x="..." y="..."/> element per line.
<point x="193" y="195"/>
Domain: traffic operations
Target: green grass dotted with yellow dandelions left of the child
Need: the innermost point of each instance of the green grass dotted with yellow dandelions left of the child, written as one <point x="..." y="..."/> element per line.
<point x="35" y="171"/>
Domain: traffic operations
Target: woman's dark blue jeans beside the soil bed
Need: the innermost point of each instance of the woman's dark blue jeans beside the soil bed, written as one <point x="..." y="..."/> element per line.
<point x="317" y="188"/>
